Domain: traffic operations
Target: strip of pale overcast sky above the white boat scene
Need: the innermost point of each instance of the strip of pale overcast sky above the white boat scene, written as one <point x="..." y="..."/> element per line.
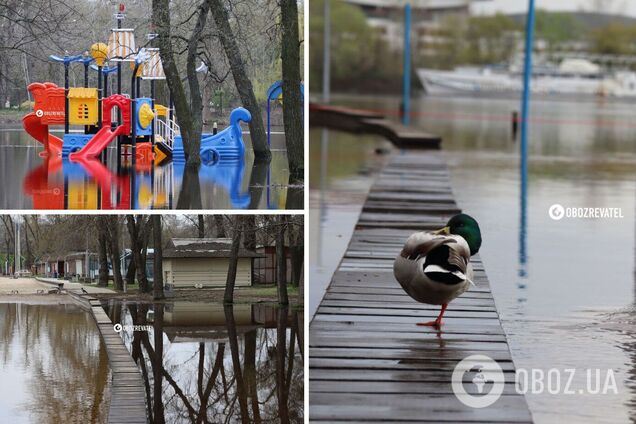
<point x="627" y="7"/>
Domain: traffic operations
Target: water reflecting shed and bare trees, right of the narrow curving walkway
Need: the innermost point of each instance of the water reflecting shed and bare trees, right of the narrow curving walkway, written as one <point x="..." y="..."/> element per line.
<point x="209" y="363"/>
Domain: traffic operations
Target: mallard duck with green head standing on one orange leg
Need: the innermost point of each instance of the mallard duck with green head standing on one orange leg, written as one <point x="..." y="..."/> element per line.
<point x="434" y="267"/>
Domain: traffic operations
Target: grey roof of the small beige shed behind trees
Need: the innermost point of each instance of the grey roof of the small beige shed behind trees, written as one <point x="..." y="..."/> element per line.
<point x="204" y="248"/>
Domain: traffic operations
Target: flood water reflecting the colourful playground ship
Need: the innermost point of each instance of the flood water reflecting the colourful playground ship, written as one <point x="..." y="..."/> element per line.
<point x="33" y="182"/>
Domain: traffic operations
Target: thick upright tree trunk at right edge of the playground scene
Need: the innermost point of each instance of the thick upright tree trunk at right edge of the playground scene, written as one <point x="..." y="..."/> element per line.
<point x="292" y="113"/>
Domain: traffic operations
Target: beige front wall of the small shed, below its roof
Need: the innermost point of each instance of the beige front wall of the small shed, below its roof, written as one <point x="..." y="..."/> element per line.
<point x="211" y="272"/>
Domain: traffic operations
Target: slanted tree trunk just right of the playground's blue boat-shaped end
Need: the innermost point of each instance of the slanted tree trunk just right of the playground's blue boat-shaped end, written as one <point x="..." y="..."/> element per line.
<point x="241" y="81"/>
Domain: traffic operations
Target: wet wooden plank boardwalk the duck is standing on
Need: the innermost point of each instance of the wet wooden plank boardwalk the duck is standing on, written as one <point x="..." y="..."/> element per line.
<point x="368" y="361"/>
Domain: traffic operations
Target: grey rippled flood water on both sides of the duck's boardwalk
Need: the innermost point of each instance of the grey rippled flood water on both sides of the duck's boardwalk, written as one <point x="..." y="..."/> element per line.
<point x="564" y="289"/>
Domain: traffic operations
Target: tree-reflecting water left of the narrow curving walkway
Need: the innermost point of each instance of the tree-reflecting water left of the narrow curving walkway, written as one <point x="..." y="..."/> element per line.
<point x="53" y="366"/>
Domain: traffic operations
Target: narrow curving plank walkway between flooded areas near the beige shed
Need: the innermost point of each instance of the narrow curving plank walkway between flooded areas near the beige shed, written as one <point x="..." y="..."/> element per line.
<point x="127" y="399"/>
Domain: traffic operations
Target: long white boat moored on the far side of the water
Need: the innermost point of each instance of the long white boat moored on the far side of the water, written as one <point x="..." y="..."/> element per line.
<point x="572" y="78"/>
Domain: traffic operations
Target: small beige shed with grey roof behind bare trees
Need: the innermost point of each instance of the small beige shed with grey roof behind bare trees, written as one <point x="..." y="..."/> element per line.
<point x="188" y="262"/>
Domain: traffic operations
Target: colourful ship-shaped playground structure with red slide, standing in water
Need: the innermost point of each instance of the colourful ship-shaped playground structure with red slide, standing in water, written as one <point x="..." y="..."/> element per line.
<point x="141" y="128"/>
